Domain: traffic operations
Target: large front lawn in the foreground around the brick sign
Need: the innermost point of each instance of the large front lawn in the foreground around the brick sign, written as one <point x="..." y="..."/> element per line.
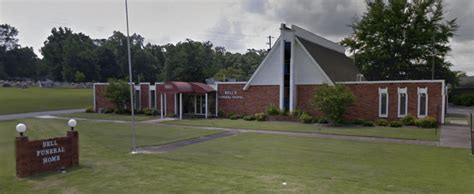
<point x="246" y="163"/>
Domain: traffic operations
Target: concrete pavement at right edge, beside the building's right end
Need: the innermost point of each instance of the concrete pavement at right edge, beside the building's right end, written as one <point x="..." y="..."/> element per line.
<point x="455" y="136"/>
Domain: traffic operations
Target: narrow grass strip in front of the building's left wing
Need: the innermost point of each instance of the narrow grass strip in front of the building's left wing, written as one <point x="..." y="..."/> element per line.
<point x="111" y="116"/>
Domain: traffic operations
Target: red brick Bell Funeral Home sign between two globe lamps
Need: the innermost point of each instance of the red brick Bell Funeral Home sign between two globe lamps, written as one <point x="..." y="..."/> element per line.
<point x="34" y="157"/>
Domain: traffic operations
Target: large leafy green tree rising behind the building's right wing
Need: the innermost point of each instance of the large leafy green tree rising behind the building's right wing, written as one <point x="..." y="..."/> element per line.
<point x="399" y="40"/>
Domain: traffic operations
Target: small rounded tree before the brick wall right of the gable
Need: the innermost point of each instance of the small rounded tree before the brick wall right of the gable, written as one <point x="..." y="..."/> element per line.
<point x="333" y="101"/>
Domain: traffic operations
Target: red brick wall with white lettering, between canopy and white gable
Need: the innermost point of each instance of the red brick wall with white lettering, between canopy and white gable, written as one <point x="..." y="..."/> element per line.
<point x="253" y="100"/>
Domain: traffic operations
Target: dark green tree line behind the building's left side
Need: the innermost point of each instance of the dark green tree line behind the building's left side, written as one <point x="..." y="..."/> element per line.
<point x="76" y="57"/>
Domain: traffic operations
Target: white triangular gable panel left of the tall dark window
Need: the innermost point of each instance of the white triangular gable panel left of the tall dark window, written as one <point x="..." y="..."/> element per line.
<point x="269" y="72"/>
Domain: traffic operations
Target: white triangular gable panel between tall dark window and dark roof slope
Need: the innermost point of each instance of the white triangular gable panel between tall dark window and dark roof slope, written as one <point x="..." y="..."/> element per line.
<point x="312" y="75"/>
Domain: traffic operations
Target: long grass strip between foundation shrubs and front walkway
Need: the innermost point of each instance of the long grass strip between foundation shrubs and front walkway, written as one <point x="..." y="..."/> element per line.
<point x="402" y="132"/>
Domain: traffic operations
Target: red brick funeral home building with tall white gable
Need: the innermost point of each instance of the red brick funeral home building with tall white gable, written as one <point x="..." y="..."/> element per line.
<point x="294" y="68"/>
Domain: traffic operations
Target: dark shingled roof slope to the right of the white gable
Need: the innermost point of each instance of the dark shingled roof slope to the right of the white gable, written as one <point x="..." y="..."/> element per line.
<point x="336" y="65"/>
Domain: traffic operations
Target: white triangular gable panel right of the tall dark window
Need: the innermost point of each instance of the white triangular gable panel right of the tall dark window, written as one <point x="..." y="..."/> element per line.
<point x="306" y="71"/>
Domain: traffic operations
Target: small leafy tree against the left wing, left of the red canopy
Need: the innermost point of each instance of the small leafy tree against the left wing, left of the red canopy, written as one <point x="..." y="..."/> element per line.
<point x="118" y="91"/>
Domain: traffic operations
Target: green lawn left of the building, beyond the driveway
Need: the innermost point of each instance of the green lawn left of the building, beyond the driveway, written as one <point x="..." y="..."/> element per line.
<point x="17" y="100"/>
